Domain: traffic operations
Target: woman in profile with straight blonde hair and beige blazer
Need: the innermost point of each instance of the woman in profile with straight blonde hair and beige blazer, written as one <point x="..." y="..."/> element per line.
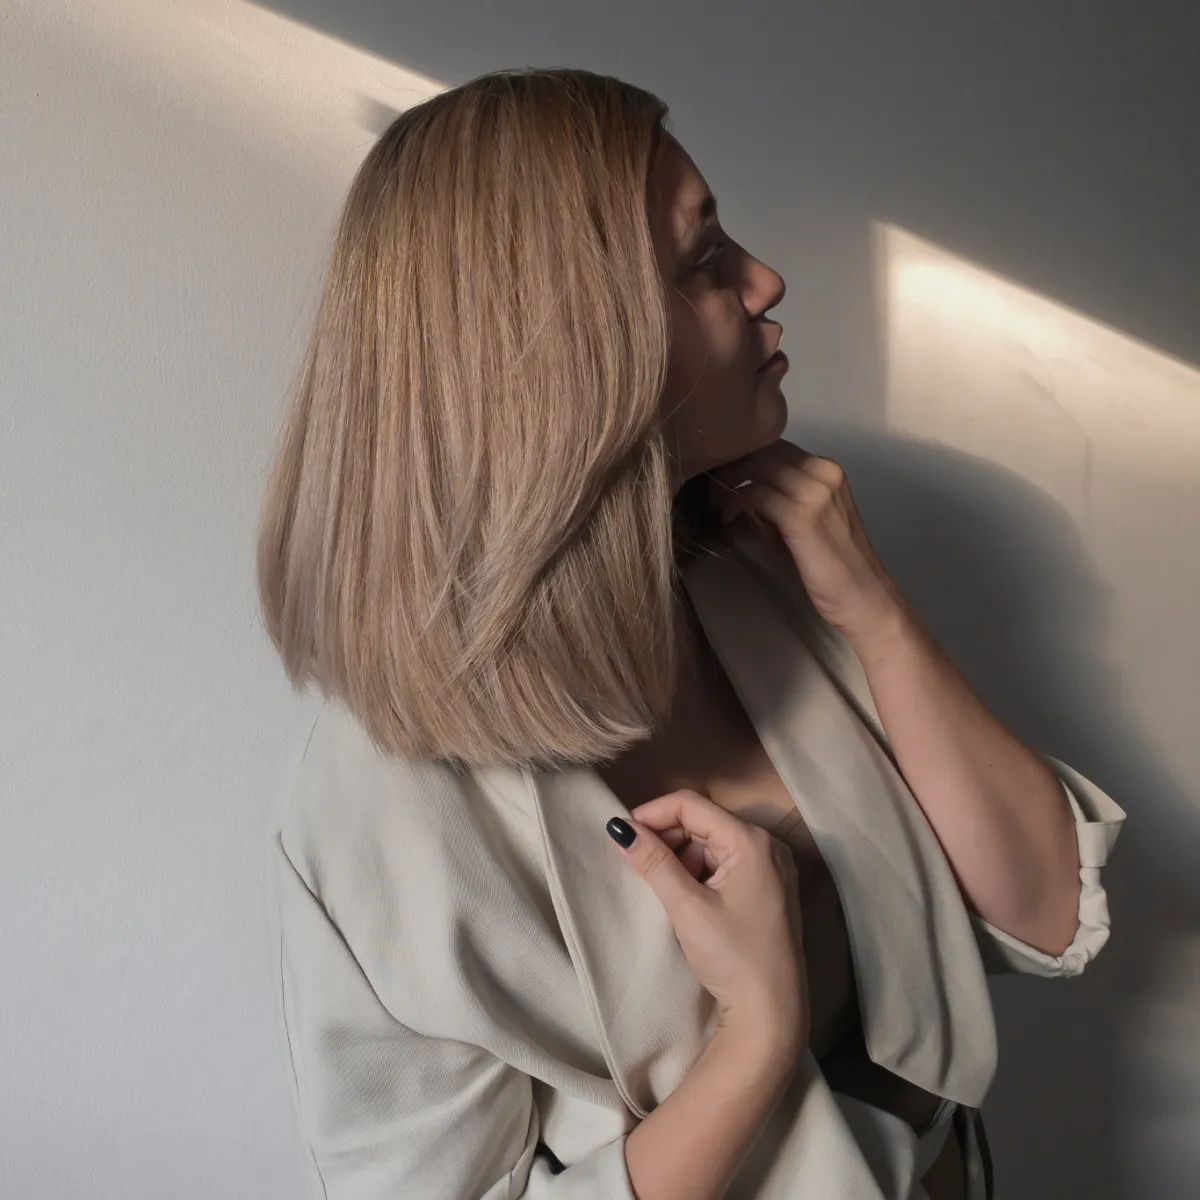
<point x="508" y="539"/>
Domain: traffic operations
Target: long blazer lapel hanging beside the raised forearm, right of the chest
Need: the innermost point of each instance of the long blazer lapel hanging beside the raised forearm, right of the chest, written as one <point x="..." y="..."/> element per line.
<point x="927" y="1012"/>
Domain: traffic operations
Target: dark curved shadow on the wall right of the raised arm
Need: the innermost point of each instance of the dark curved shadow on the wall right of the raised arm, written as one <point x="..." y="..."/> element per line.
<point x="998" y="571"/>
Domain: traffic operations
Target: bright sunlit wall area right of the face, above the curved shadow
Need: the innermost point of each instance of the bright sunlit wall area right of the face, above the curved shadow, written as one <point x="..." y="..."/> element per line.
<point x="1101" y="423"/>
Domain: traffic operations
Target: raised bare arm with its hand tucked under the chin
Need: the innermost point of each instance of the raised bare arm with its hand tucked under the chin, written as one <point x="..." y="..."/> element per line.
<point x="1004" y="820"/>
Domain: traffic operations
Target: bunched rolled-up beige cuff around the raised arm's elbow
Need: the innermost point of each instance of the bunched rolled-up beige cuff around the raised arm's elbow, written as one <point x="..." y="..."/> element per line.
<point x="1097" y="825"/>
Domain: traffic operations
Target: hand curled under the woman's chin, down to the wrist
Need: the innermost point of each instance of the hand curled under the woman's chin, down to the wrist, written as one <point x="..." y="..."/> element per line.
<point x="809" y="503"/>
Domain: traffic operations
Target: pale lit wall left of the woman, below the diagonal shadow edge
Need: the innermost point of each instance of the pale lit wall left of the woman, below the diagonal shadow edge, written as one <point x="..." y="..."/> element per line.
<point x="170" y="183"/>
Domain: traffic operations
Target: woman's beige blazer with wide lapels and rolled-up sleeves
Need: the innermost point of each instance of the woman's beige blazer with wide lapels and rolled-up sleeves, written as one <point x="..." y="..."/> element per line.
<point x="479" y="998"/>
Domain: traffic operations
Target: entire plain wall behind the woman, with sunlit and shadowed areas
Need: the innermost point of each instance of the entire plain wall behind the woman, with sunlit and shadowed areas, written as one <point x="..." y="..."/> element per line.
<point x="987" y="227"/>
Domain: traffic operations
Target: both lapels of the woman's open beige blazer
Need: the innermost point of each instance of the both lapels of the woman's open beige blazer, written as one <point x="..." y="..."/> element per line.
<point x="925" y="1000"/>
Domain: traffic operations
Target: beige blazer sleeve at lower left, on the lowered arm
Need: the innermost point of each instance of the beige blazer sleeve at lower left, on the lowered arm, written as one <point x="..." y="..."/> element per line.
<point x="387" y="1113"/>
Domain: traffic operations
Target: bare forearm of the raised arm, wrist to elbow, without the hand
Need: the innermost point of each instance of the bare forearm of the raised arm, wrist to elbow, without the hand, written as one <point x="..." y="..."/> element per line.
<point x="998" y="809"/>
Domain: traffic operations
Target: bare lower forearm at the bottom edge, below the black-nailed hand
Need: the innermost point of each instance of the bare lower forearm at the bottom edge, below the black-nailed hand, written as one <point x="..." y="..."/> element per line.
<point x="692" y="1145"/>
